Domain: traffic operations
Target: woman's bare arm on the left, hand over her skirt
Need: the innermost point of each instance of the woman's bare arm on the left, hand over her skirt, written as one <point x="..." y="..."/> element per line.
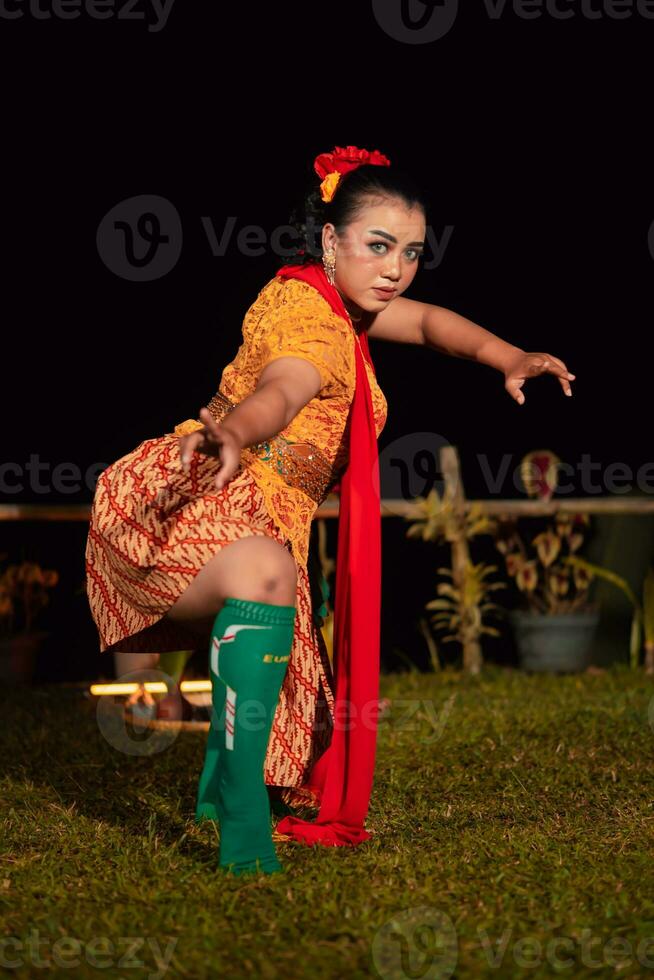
<point x="285" y="386"/>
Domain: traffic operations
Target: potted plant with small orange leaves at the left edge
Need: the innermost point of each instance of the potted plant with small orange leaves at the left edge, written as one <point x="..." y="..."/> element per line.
<point x="23" y="595"/>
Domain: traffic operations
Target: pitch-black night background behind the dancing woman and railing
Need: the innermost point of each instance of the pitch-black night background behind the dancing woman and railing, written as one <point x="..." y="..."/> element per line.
<point x="530" y="136"/>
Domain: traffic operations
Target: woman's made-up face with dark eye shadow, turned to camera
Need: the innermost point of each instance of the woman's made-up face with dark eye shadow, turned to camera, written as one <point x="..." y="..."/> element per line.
<point x="380" y="249"/>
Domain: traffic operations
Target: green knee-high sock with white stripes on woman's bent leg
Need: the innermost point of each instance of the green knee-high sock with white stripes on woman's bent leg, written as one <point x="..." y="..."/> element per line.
<point x="249" y="654"/>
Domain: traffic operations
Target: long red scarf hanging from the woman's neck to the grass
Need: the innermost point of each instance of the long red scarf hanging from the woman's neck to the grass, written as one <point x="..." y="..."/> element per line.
<point x="343" y="776"/>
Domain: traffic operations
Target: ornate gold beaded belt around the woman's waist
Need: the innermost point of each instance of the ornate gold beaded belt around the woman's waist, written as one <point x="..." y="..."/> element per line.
<point x="300" y="464"/>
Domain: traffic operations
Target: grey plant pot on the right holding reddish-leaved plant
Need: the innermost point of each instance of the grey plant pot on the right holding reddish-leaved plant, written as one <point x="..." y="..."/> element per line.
<point x="554" y="643"/>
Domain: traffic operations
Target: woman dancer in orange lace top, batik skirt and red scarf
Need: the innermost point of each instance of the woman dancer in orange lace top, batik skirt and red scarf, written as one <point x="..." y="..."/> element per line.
<point x="202" y="535"/>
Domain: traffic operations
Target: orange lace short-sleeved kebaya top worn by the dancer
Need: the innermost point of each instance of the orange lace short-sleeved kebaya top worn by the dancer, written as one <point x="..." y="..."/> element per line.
<point x="289" y="317"/>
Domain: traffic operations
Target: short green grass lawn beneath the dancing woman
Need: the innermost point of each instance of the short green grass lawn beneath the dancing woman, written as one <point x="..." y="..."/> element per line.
<point x="513" y="819"/>
